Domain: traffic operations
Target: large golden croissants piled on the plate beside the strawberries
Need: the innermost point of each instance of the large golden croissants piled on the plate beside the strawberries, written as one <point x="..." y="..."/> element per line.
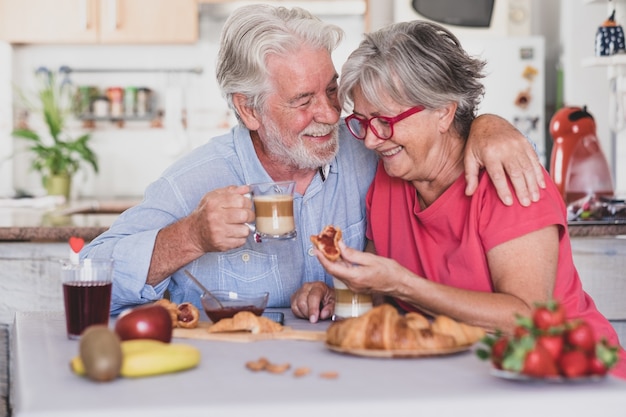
<point x="383" y="328"/>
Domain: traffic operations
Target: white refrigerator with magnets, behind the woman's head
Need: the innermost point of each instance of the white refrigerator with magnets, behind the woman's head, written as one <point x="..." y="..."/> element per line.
<point x="515" y="83"/>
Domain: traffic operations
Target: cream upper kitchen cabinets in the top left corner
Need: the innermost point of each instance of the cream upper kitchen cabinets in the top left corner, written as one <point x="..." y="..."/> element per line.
<point x="99" y="21"/>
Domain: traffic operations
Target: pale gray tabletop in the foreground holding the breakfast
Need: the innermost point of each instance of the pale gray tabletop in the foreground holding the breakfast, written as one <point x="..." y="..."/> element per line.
<point x="456" y="385"/>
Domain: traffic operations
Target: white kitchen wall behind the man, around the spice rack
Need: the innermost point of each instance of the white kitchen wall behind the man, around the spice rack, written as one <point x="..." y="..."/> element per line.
<point x="132" y="157"/>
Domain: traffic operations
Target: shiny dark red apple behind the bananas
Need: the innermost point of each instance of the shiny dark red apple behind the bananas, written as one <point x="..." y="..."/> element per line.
<point x="145" y="322"/>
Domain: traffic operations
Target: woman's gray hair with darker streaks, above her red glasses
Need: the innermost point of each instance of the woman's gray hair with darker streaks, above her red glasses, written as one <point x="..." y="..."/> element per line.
<point x="415" y="63"/>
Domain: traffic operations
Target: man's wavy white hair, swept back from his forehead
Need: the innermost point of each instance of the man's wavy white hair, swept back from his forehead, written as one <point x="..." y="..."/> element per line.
<point x="253" y="32"/>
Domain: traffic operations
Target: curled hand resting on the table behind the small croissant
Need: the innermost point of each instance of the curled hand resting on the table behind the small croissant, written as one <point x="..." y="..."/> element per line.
<point x="314" y="301"/>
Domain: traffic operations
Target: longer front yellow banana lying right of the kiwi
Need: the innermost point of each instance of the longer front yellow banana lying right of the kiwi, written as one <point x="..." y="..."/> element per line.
<point x="160" y="360"/>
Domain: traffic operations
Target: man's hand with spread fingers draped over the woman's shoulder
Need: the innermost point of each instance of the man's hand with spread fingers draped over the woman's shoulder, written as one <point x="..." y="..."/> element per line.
<point x="495" y="144"/>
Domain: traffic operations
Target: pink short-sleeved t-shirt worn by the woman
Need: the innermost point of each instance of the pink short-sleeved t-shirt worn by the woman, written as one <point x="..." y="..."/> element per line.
<point x="448" y="242"/>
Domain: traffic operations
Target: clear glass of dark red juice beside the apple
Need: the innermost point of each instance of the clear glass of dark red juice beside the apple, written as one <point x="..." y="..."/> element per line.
<point x="87" y="293"/>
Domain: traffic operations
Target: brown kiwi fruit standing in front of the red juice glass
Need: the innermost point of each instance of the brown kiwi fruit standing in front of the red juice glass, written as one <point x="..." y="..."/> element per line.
<point x="101" y="353"/>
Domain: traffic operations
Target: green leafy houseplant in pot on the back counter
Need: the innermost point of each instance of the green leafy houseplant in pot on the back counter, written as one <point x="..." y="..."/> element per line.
<point x="57" y="156"/>
